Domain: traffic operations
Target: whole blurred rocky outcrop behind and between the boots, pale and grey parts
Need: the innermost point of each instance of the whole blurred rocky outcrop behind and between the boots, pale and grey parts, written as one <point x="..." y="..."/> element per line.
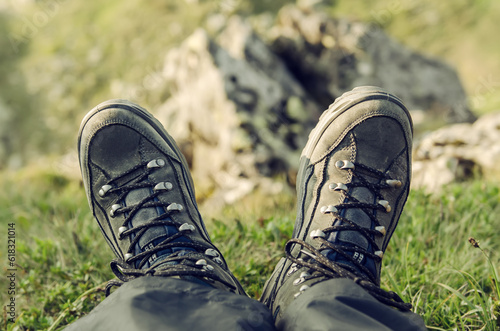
<point x="241" y="110"/>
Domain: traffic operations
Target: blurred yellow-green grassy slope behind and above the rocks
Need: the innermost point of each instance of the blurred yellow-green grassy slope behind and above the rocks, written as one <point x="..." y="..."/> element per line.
<point x="60" y="58"/>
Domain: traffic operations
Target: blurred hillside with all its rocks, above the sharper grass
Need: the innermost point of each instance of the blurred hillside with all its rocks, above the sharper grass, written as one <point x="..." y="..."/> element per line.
<point x="260" y="72"/>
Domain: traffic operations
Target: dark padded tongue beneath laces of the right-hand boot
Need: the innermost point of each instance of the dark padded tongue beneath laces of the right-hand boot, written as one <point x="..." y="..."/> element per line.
<point x="354" y="239"/>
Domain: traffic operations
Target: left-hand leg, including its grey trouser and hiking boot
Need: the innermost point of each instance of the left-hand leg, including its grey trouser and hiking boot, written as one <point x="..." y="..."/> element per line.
<point x="141" y="193"/>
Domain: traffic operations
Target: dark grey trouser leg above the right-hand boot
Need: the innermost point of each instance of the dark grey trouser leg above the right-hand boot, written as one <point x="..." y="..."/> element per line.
<point x="340" y="304"/>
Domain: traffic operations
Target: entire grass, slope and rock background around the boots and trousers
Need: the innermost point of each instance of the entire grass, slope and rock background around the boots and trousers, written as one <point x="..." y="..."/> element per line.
<point x="239" y="84"/>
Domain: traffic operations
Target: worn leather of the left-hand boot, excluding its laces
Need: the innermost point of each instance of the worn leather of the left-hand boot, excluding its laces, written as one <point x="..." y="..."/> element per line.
<point x="115" y="137"/>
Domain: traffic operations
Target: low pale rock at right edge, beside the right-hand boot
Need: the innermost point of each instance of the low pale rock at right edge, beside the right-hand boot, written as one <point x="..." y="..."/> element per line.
<point x="458" y="152"/>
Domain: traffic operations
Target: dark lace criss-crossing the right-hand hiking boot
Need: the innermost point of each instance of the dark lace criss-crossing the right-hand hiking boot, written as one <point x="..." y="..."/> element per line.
<point x="320" y="265"/>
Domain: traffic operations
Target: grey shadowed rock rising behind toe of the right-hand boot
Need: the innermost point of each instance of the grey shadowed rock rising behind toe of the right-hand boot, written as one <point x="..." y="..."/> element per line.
<point x="331" y="56"/>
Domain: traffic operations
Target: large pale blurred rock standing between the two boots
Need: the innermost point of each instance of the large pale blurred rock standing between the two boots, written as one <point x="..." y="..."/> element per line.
<point x="236" y="111"/>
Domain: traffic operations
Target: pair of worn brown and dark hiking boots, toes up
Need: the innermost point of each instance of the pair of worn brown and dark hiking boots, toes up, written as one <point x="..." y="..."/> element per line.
<point x="353" y="181"/>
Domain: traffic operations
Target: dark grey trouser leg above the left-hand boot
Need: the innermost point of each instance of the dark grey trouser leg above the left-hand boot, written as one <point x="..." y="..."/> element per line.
<point x="155" y="303"/>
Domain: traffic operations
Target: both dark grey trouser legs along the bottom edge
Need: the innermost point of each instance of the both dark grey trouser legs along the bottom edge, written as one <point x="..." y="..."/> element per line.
<point x="156" y="303"/>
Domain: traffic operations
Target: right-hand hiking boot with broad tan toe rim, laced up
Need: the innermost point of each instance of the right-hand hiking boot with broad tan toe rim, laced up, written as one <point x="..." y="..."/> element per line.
<point x="353" y="181"/>
